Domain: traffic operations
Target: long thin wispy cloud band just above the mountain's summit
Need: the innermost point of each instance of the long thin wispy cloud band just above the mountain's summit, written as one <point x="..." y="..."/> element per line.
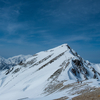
<point x="51" y="39"/>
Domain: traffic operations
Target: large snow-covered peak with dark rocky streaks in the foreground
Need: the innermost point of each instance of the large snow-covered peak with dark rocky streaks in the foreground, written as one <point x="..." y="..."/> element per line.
<point x="48" y="75"/>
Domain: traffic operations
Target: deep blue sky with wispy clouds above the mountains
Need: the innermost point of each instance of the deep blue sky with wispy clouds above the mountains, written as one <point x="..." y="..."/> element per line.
<point x="30" y="26"/>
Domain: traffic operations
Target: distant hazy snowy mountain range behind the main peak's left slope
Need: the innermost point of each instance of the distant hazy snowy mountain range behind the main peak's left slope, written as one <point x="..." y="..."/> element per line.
<point x="7" y="63"/>
